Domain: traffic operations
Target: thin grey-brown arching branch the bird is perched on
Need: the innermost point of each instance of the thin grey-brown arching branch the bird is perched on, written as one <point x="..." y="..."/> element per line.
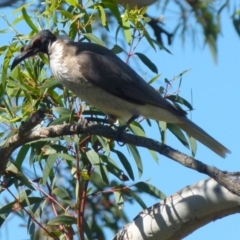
<point x="85" y="127"/>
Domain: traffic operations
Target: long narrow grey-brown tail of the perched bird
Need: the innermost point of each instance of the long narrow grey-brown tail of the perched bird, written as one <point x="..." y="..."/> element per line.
<point x="199" y="134"/>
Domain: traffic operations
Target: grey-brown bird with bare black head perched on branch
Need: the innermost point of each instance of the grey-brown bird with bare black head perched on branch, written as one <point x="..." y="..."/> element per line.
<point x="100" y="78"/>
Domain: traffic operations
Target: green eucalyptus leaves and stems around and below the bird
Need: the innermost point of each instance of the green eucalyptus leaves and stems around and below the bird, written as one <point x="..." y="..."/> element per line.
<point x="73" y="184"/>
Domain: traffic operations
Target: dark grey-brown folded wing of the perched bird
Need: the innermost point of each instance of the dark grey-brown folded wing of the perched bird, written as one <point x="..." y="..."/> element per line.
<point x="116" y="77"/>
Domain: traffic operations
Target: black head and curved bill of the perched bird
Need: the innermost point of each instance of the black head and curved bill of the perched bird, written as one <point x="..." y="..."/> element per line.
<point x="39" y="43"/>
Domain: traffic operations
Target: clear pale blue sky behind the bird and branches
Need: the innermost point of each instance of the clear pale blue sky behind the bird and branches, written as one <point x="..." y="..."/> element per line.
<point x="214" y="90"/>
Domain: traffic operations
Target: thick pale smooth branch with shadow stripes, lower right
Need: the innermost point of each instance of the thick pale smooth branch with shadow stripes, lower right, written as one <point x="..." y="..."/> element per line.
<point x="184" y="212"/>
